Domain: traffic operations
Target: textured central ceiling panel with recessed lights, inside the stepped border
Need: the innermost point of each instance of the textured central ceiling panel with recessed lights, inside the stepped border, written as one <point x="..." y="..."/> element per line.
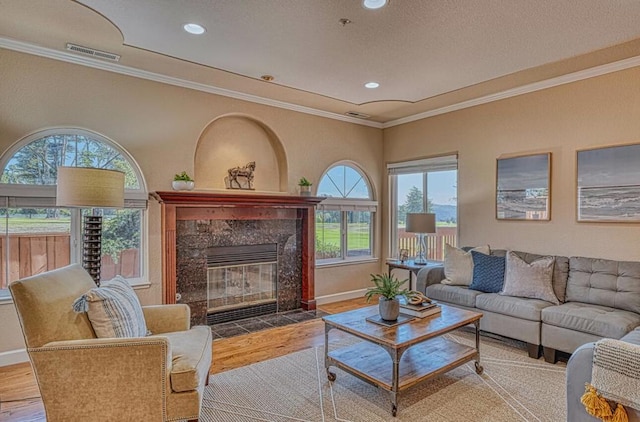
<point x="415" y="49"/>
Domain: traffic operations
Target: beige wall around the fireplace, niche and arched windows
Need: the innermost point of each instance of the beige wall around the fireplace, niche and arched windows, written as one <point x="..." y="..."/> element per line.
<point x="160" y="125"/>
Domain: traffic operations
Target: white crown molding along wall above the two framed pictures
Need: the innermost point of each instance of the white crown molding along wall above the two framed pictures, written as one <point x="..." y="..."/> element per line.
<point x="524" y="89"/>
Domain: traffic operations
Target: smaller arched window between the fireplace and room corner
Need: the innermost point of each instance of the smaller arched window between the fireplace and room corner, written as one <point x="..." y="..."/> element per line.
<point x="345" y="221"/>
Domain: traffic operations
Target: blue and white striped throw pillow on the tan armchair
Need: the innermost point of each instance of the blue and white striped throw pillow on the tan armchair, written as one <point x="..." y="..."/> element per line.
<point x="113" y="309"/>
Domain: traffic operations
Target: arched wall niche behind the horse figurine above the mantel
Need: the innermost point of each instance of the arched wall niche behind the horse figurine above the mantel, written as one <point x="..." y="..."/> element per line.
<point x="234" y="140"/>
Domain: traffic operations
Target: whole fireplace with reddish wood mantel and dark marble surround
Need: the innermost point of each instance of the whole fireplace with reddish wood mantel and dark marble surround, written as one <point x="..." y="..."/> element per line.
<point x="196" y="224"/>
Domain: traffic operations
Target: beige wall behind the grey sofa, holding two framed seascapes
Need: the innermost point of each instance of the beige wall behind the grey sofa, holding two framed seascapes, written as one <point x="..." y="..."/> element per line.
<point x="590" y="113"/>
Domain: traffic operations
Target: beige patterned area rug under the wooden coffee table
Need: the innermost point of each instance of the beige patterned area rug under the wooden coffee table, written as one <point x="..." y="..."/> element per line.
<point x="294" y="387"/>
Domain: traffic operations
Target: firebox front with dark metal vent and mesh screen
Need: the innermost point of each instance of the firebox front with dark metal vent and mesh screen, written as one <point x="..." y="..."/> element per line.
<point x="241" y="277"/>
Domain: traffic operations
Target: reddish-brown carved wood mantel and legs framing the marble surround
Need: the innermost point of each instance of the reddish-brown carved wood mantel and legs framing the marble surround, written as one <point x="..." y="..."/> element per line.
<point x="202" y="205"/>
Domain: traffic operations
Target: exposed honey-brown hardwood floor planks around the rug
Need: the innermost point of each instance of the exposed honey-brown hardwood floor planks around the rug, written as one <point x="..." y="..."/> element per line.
<point x="19" y="395"/>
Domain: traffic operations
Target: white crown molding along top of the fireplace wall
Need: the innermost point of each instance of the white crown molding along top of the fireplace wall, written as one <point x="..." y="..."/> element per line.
<point x="50" y="53"/>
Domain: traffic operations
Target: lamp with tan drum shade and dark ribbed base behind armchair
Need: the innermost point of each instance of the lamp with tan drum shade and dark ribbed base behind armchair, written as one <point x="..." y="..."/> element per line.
<point x="84" y="187"/>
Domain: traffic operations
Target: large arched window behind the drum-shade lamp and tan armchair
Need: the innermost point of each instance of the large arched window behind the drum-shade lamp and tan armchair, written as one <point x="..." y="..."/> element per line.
<point x="37" y="236"/>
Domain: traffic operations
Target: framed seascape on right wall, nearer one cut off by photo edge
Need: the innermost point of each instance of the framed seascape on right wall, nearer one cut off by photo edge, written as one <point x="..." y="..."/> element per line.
<point x="609" y="184"/>
